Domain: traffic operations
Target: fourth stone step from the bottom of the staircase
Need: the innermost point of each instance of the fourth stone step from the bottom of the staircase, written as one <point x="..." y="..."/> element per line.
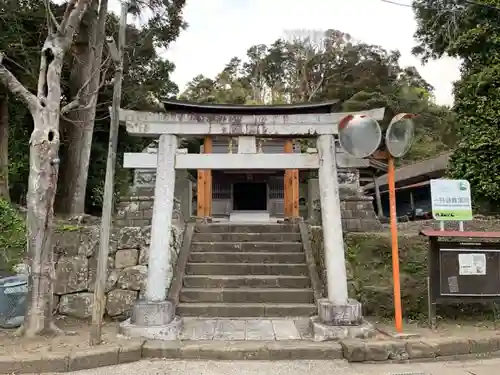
<point x="299" y="269"/>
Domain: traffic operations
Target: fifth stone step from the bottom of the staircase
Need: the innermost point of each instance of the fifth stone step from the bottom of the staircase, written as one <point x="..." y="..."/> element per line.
<point x="246" y="257"/>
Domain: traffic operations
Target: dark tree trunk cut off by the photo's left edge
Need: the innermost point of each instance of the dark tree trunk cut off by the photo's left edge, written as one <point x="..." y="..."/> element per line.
<point x="4" y="146"/>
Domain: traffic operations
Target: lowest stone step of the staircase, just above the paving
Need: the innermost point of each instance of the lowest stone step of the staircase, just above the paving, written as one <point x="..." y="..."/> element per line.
<point x="232" y="310"/>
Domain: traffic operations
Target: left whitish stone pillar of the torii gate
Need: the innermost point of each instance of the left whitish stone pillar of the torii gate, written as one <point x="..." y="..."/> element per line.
<point x="159" y="252"/>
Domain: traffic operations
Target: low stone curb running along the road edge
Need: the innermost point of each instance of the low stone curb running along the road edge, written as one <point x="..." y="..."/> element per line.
<point x="354" y="350"/>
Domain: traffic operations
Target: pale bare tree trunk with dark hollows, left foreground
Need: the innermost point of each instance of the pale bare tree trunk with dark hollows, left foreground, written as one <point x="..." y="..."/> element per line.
<point x="42" y="185"/>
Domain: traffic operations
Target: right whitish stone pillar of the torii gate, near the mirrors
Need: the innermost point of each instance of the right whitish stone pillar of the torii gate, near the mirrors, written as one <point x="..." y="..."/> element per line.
<point x="332" y="223"/>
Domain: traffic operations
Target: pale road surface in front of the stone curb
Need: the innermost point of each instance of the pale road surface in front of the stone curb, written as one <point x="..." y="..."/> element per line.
<point x="158" y="367"/>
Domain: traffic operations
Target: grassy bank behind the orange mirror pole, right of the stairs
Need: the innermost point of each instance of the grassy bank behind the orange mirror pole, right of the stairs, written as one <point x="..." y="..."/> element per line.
<point x="369" y="273"/>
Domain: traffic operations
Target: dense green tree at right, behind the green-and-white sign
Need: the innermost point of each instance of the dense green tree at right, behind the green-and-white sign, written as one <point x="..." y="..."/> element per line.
<point x="469" y="31"/>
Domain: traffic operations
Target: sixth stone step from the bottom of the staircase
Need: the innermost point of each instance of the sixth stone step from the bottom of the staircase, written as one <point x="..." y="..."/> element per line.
<point x="273" y="247"/>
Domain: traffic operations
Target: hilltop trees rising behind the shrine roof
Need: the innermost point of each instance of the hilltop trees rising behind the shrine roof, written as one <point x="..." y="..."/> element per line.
<point x="326" y="67"/>
